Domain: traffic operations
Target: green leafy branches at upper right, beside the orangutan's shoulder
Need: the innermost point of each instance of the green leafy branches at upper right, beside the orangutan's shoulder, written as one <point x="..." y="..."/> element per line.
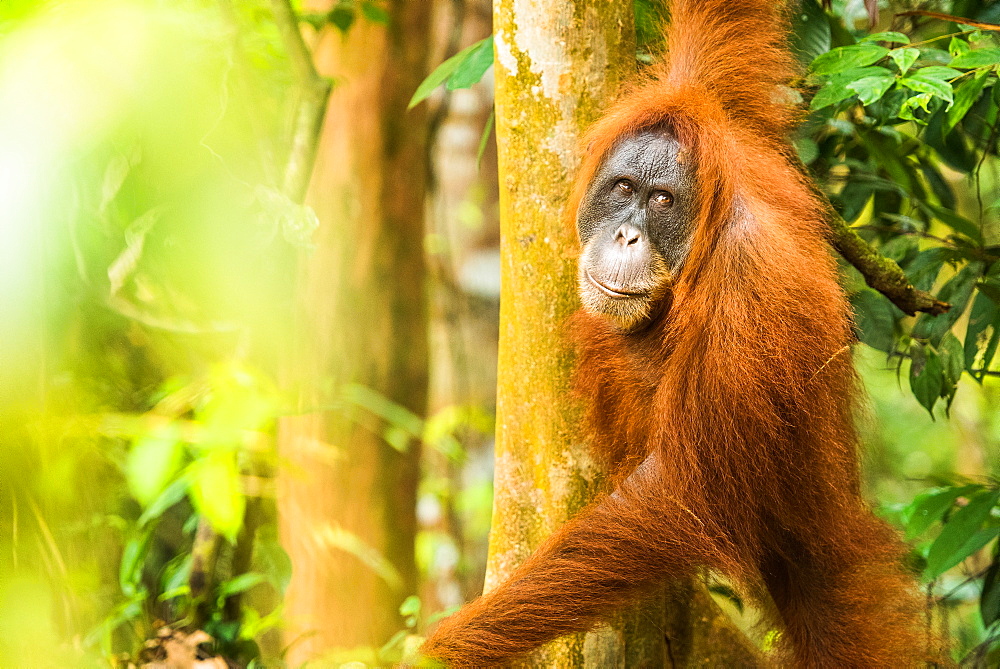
<point x="893" y="119"/>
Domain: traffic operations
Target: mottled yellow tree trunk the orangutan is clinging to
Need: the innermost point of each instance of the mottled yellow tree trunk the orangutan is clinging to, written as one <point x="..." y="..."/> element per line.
<point x="558" y="62"/>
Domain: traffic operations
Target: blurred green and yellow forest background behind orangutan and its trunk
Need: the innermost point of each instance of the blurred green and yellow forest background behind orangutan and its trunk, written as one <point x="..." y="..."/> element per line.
<point x="249" y="309"/>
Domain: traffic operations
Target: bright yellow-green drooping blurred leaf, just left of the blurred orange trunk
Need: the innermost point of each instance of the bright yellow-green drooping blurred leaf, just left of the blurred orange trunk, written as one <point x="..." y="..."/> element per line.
<point x="215" y="491"/>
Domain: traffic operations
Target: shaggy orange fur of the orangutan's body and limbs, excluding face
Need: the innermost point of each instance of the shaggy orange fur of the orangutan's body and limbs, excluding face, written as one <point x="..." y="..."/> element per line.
<point x="728" y="423"/>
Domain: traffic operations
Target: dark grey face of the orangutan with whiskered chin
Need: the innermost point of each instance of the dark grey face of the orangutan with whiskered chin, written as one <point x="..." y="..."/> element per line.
<point x="635" y="226"/>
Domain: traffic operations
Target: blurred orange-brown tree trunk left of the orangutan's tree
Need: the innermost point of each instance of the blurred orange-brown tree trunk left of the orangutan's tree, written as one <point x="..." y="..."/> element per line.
<point x="362" y="319"/>
